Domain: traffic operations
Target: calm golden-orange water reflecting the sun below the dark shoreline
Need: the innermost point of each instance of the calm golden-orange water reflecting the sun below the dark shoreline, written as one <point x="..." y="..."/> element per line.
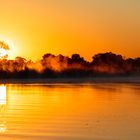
<point x="70" y="111"/>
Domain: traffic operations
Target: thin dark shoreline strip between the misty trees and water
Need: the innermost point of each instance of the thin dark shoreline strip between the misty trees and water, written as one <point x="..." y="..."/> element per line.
<point x="119" y="79"/>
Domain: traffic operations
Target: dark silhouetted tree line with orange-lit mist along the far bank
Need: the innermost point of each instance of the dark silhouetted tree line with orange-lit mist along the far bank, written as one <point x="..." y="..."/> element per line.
<point x="53" y="66"/>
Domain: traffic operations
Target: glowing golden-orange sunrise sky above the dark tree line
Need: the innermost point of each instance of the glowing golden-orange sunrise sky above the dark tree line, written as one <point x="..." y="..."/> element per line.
<point x="35" y="27"/>
